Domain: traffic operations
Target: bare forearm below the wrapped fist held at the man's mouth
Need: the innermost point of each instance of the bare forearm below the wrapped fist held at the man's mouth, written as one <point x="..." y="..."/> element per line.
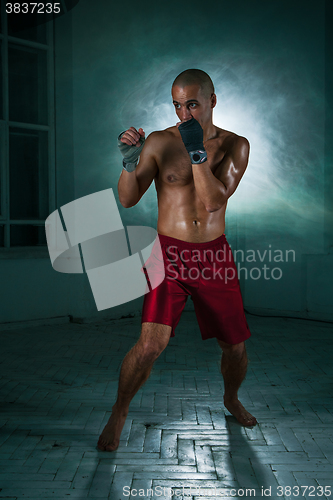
<point x="211" y="191"/>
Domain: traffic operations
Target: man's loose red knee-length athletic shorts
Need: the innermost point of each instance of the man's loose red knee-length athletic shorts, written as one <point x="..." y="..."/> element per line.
<point x="204" y="271"/>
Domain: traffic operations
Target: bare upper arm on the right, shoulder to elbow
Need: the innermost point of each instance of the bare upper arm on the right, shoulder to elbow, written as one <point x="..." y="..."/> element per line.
<point x="232" y="168"/>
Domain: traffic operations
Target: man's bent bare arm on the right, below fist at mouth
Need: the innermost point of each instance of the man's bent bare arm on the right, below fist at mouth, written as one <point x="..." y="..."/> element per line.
<point x="215" y="189"/>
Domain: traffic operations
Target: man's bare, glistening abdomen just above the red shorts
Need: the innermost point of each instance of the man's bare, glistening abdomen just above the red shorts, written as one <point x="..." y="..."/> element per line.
<point x="182" y="215"/>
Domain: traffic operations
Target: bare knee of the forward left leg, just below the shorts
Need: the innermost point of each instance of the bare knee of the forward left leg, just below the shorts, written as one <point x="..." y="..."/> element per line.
<point x="153" y="340"/>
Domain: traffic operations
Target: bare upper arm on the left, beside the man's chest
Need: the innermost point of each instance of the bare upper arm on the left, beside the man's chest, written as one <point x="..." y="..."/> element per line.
<point x="147" y="168"/>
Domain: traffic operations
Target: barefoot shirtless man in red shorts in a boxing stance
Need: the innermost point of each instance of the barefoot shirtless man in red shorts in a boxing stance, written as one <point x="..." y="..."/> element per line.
<point x="196" y="167"/>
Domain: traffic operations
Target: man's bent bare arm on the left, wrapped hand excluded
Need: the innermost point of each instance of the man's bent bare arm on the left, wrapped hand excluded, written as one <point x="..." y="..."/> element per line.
<point x="133" y="185"/>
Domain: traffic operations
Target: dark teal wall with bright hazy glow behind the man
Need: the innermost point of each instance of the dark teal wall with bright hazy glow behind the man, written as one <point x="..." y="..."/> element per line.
<point x="271" y="66"/>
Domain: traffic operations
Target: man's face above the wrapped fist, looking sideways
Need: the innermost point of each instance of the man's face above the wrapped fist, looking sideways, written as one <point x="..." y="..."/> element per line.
<point x="189" y="102"/>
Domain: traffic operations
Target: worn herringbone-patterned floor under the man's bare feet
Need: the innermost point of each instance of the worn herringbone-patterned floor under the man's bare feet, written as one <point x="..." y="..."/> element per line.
<point x="59" y="383"/>
